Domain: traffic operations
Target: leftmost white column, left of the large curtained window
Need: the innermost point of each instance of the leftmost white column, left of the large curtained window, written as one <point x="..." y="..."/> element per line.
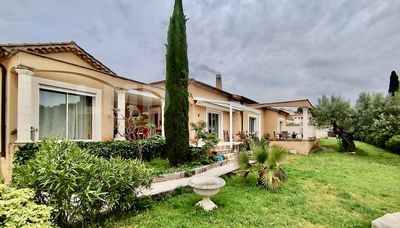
<point x="24" y="116"/>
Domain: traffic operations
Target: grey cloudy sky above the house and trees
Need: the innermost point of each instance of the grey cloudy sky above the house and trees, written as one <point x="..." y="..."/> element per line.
<point x="266" y="50"/>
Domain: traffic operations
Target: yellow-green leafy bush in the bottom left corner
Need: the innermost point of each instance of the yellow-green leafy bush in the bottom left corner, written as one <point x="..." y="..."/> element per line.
<point x="17" y="209"/>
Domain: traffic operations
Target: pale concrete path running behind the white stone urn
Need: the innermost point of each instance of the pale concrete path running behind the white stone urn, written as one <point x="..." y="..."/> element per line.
<point x="168" y="186"/>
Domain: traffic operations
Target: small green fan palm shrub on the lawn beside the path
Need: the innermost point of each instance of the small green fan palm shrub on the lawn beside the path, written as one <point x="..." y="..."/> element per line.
<point x="267" y="163"/>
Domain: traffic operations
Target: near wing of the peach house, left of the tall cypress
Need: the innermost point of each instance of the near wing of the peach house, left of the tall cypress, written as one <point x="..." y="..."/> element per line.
<point x="60" y="89"/>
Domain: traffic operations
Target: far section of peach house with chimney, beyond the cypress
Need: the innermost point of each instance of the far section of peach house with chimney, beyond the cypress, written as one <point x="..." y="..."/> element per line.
<point x="228" y="114"/>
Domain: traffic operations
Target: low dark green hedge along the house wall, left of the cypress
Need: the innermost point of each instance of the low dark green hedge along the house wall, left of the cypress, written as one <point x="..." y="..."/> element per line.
<point x="151" y="148"/>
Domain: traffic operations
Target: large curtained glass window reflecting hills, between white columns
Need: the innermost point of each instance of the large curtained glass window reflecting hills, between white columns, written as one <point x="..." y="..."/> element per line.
<point x="65" y="115"/>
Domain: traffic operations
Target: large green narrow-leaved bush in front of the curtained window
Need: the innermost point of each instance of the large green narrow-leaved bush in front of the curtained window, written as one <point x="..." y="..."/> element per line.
<point x="78" y="184"/>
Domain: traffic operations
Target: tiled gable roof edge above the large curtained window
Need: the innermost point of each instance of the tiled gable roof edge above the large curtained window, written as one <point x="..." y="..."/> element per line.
<point x="7" y="50"/>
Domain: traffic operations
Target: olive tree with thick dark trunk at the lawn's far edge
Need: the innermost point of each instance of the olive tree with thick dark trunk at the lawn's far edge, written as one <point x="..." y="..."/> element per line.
<point x="338" y="114"/>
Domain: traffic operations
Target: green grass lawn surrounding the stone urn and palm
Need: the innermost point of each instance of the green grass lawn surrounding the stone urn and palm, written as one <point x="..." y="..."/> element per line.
<point x="325" y="189"/>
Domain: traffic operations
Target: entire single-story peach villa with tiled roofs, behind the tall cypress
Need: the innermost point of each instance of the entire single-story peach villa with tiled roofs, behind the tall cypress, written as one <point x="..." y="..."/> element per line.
<point x="58" y="89"/>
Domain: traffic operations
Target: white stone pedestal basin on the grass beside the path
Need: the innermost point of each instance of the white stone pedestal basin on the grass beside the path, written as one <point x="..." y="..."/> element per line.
<point x="206" y="187"/>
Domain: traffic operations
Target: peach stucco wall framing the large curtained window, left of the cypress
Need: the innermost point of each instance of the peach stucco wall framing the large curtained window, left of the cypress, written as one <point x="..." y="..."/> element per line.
<point x="61" y="71"/>
